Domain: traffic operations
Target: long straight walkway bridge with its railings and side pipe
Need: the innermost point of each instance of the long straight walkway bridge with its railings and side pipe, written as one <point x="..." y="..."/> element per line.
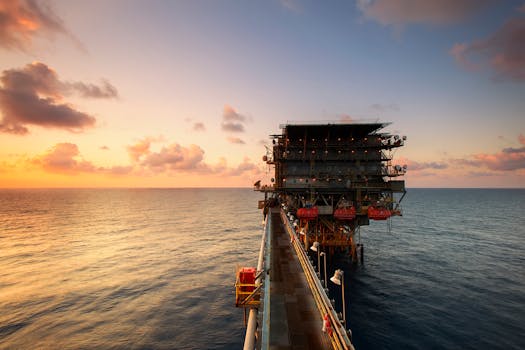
<point x="295" y="311"/>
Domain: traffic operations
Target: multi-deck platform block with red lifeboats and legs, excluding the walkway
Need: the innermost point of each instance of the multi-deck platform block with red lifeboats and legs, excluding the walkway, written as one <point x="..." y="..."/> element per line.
<point x="333" y="178"/>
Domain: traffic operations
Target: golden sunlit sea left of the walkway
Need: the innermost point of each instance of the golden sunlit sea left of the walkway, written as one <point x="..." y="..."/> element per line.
<point x="124" y="269"/>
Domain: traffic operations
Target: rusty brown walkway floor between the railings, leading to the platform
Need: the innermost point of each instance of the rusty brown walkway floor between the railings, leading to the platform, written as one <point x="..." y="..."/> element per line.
<point x="295" y="322"/>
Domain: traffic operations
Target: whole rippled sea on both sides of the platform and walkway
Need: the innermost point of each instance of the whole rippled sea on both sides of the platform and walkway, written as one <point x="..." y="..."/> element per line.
<point x="154" y="269"/>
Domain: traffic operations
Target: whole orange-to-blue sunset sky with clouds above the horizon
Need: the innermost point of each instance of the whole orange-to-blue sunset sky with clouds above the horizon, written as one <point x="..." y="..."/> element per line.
<point x="185" y="93"/>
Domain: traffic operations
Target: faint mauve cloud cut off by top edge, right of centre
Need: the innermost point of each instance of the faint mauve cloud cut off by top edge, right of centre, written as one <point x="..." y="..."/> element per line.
<point x="398" y="13"/>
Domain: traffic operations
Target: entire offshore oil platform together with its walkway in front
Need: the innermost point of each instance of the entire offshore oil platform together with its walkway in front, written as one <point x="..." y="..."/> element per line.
<point x="330" y="179"/>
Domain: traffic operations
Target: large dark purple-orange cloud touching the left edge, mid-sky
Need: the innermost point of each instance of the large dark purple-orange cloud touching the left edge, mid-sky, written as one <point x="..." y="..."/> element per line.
<point x="33" y="95"/>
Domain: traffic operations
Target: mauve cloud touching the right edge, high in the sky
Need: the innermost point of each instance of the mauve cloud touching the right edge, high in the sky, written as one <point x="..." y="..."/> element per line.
<point x="503" y="52"/>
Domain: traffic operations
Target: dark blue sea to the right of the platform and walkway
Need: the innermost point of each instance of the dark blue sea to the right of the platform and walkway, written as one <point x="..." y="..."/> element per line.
<point x="450" y="274"/>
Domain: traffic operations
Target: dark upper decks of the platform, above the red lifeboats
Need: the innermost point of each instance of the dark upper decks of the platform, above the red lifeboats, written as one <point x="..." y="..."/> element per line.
<point x="338" y="157"/>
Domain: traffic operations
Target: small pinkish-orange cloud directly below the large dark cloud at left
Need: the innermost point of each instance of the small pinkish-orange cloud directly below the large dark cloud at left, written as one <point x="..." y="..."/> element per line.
<point x="64" y="158"/>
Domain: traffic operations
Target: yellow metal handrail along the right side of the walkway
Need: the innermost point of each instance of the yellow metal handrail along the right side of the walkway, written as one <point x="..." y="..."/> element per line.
<point x="339" y="337"/>
